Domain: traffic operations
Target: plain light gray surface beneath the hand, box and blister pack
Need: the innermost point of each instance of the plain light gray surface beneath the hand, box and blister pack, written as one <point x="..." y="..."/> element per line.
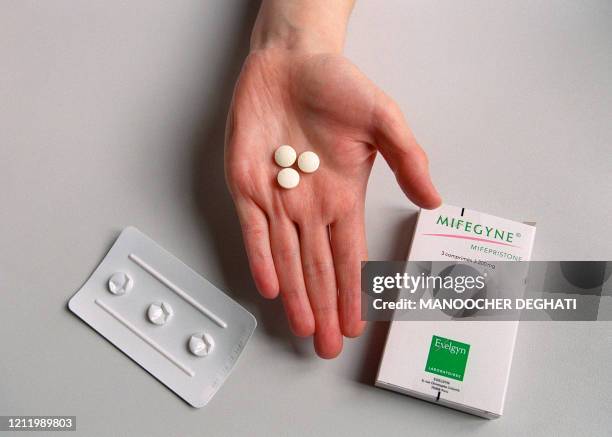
<point x="112" y="113"/>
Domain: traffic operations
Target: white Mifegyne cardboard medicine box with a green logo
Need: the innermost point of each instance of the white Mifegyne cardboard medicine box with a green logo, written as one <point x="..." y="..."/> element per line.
<point x="463" y="365"/>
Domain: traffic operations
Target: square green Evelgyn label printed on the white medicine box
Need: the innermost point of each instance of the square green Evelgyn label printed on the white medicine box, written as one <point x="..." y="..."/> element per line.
<point x="447" y="357"/>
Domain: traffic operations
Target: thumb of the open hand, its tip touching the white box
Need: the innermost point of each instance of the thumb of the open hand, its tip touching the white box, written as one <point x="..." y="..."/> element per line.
<point x="407" y="159"/>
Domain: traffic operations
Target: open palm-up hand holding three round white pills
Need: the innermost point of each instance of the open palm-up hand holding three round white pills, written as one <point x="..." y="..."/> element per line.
<point x="307" y="243"/>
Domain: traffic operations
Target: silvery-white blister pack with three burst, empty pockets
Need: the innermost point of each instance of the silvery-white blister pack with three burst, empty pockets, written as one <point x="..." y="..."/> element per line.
<point x="170" y="320"/>
